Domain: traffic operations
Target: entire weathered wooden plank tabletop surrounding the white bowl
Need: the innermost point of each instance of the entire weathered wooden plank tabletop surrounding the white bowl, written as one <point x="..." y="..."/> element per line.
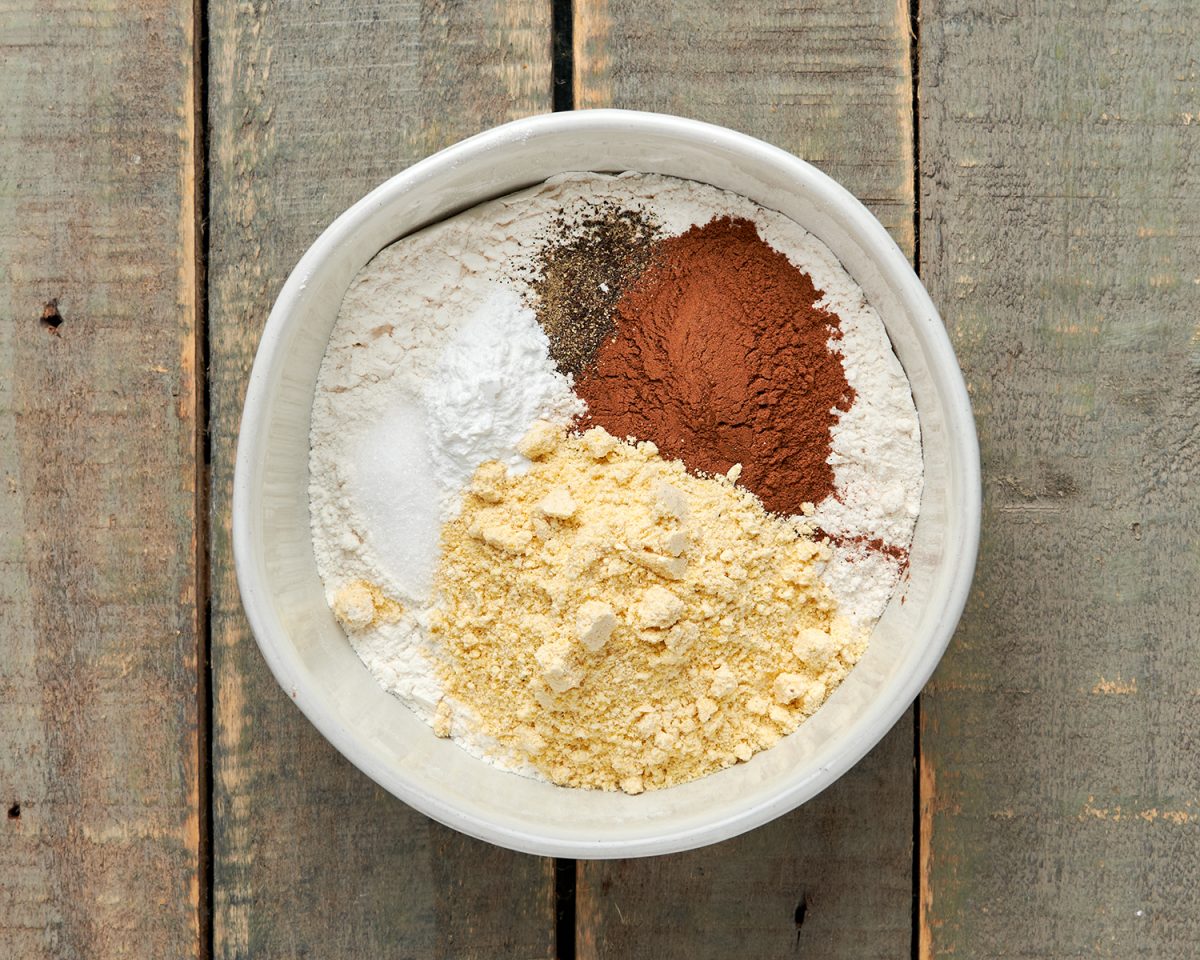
<point x="164" y="164"/>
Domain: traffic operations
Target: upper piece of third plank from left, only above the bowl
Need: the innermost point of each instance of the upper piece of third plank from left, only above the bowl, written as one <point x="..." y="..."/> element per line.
<point x="829" y="81"/>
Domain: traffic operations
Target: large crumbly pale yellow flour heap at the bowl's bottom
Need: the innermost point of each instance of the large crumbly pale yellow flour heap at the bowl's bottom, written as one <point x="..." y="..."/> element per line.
<point x="619" y="623"/>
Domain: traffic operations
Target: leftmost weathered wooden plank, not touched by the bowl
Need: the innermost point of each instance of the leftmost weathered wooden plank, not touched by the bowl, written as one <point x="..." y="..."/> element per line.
<point x="99" y="737"/>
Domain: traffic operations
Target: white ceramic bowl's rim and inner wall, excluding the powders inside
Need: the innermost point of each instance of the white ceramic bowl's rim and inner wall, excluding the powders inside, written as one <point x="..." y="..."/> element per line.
<point x="311" y="657"/>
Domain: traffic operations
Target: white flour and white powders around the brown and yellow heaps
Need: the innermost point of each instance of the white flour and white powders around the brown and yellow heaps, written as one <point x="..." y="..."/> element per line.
<point x="435" y="367"/>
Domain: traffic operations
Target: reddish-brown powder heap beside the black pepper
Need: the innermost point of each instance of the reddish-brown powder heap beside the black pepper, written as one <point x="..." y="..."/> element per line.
<point x="721" y="356"/>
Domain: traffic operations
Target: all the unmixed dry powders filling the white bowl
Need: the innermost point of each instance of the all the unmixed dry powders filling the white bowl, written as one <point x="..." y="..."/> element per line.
<point x="611" y="479"/>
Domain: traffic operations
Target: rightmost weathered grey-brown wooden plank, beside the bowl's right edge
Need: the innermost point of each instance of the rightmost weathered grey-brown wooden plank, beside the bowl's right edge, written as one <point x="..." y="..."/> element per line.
<point x="1060" y="195"/>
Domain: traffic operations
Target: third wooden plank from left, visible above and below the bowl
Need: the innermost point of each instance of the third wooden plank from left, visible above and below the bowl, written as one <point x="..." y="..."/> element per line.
<point x="831" y="82"/>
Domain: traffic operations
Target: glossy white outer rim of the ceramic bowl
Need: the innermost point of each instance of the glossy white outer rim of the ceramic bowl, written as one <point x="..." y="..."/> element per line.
<point x="962" y="440"/>
